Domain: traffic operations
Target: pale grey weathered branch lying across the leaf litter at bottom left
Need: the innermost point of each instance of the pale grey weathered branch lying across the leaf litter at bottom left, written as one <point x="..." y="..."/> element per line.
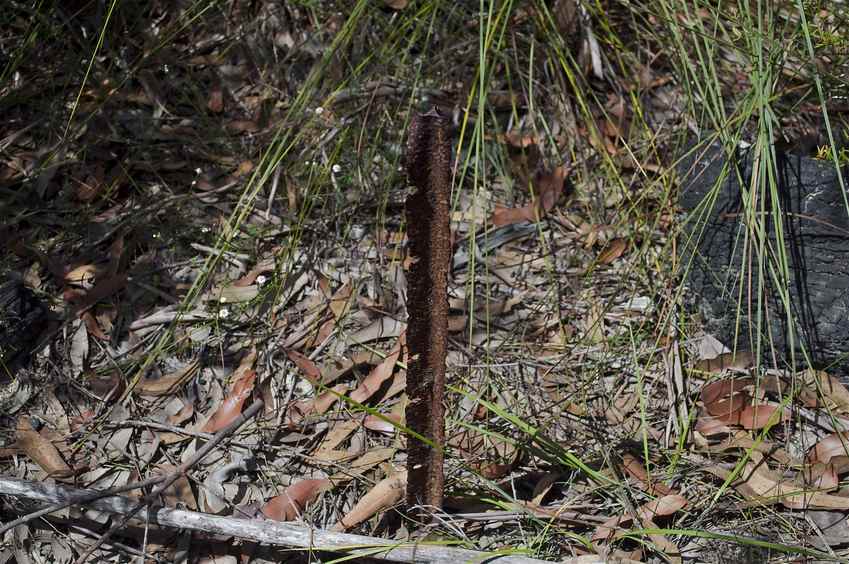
<point x="267" y="532"/>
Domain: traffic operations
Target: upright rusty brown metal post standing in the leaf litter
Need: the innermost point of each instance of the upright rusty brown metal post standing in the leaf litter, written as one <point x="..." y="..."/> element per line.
<point x="429" y="236"/>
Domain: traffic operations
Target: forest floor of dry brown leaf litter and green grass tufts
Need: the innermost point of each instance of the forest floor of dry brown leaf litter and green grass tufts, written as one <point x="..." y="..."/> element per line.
<point x="209" y="199"/>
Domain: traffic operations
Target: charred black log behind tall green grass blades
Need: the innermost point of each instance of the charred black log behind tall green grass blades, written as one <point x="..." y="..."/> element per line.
<point x="815" y="228"/>
